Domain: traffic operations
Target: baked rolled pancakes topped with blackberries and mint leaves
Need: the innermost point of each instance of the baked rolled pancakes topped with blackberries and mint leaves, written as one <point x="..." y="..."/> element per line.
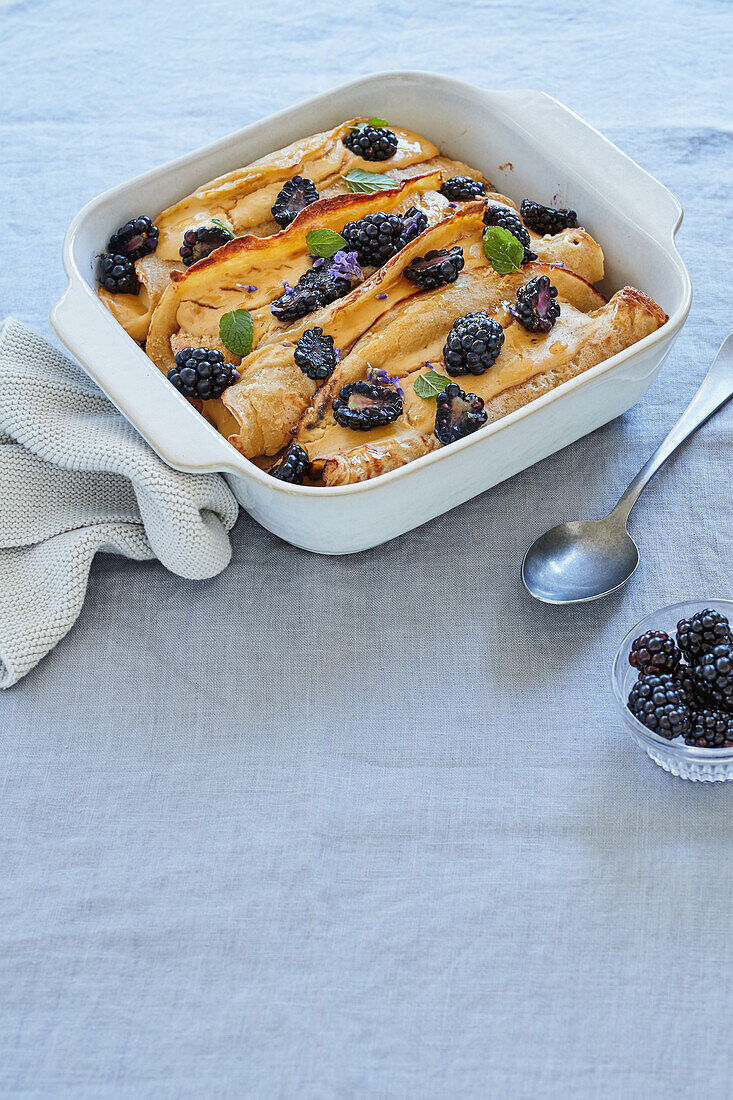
<point x="358" y="300"/>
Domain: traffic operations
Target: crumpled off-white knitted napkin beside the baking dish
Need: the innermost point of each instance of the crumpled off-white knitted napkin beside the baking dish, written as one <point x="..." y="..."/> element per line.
<point x="75" y="479"/>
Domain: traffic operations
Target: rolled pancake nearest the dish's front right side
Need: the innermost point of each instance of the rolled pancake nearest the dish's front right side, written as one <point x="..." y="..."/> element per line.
<point x="529" y="366"/>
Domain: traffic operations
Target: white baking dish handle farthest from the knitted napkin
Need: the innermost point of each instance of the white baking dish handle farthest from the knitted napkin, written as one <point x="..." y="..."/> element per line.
<point x="615" y="174"/>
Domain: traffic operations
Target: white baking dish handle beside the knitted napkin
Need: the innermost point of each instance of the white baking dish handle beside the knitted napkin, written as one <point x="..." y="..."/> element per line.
<point x="162" y="416"/>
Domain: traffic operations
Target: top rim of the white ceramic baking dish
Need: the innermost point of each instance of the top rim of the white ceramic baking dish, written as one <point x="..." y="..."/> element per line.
<point x="236" y="464"/>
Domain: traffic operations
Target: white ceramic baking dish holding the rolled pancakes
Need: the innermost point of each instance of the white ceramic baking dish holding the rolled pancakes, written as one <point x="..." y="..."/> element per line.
<point x="529" y="146"/>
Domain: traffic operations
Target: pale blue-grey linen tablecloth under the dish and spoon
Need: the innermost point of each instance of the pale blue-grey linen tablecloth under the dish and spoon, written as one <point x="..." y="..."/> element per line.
<point x="367" y="827"/>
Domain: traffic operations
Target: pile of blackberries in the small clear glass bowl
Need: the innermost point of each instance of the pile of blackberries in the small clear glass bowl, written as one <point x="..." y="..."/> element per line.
<point x="702" y="691"/>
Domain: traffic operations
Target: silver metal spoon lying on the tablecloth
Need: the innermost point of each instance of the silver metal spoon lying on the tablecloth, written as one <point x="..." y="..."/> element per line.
<point x="592" y="558"/>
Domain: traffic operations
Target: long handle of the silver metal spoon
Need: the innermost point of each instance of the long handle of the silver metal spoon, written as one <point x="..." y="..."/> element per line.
<point x="716" y="391"/>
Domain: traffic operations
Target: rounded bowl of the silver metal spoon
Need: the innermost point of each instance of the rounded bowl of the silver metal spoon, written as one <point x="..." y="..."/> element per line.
<point x="579" y="562"/>
